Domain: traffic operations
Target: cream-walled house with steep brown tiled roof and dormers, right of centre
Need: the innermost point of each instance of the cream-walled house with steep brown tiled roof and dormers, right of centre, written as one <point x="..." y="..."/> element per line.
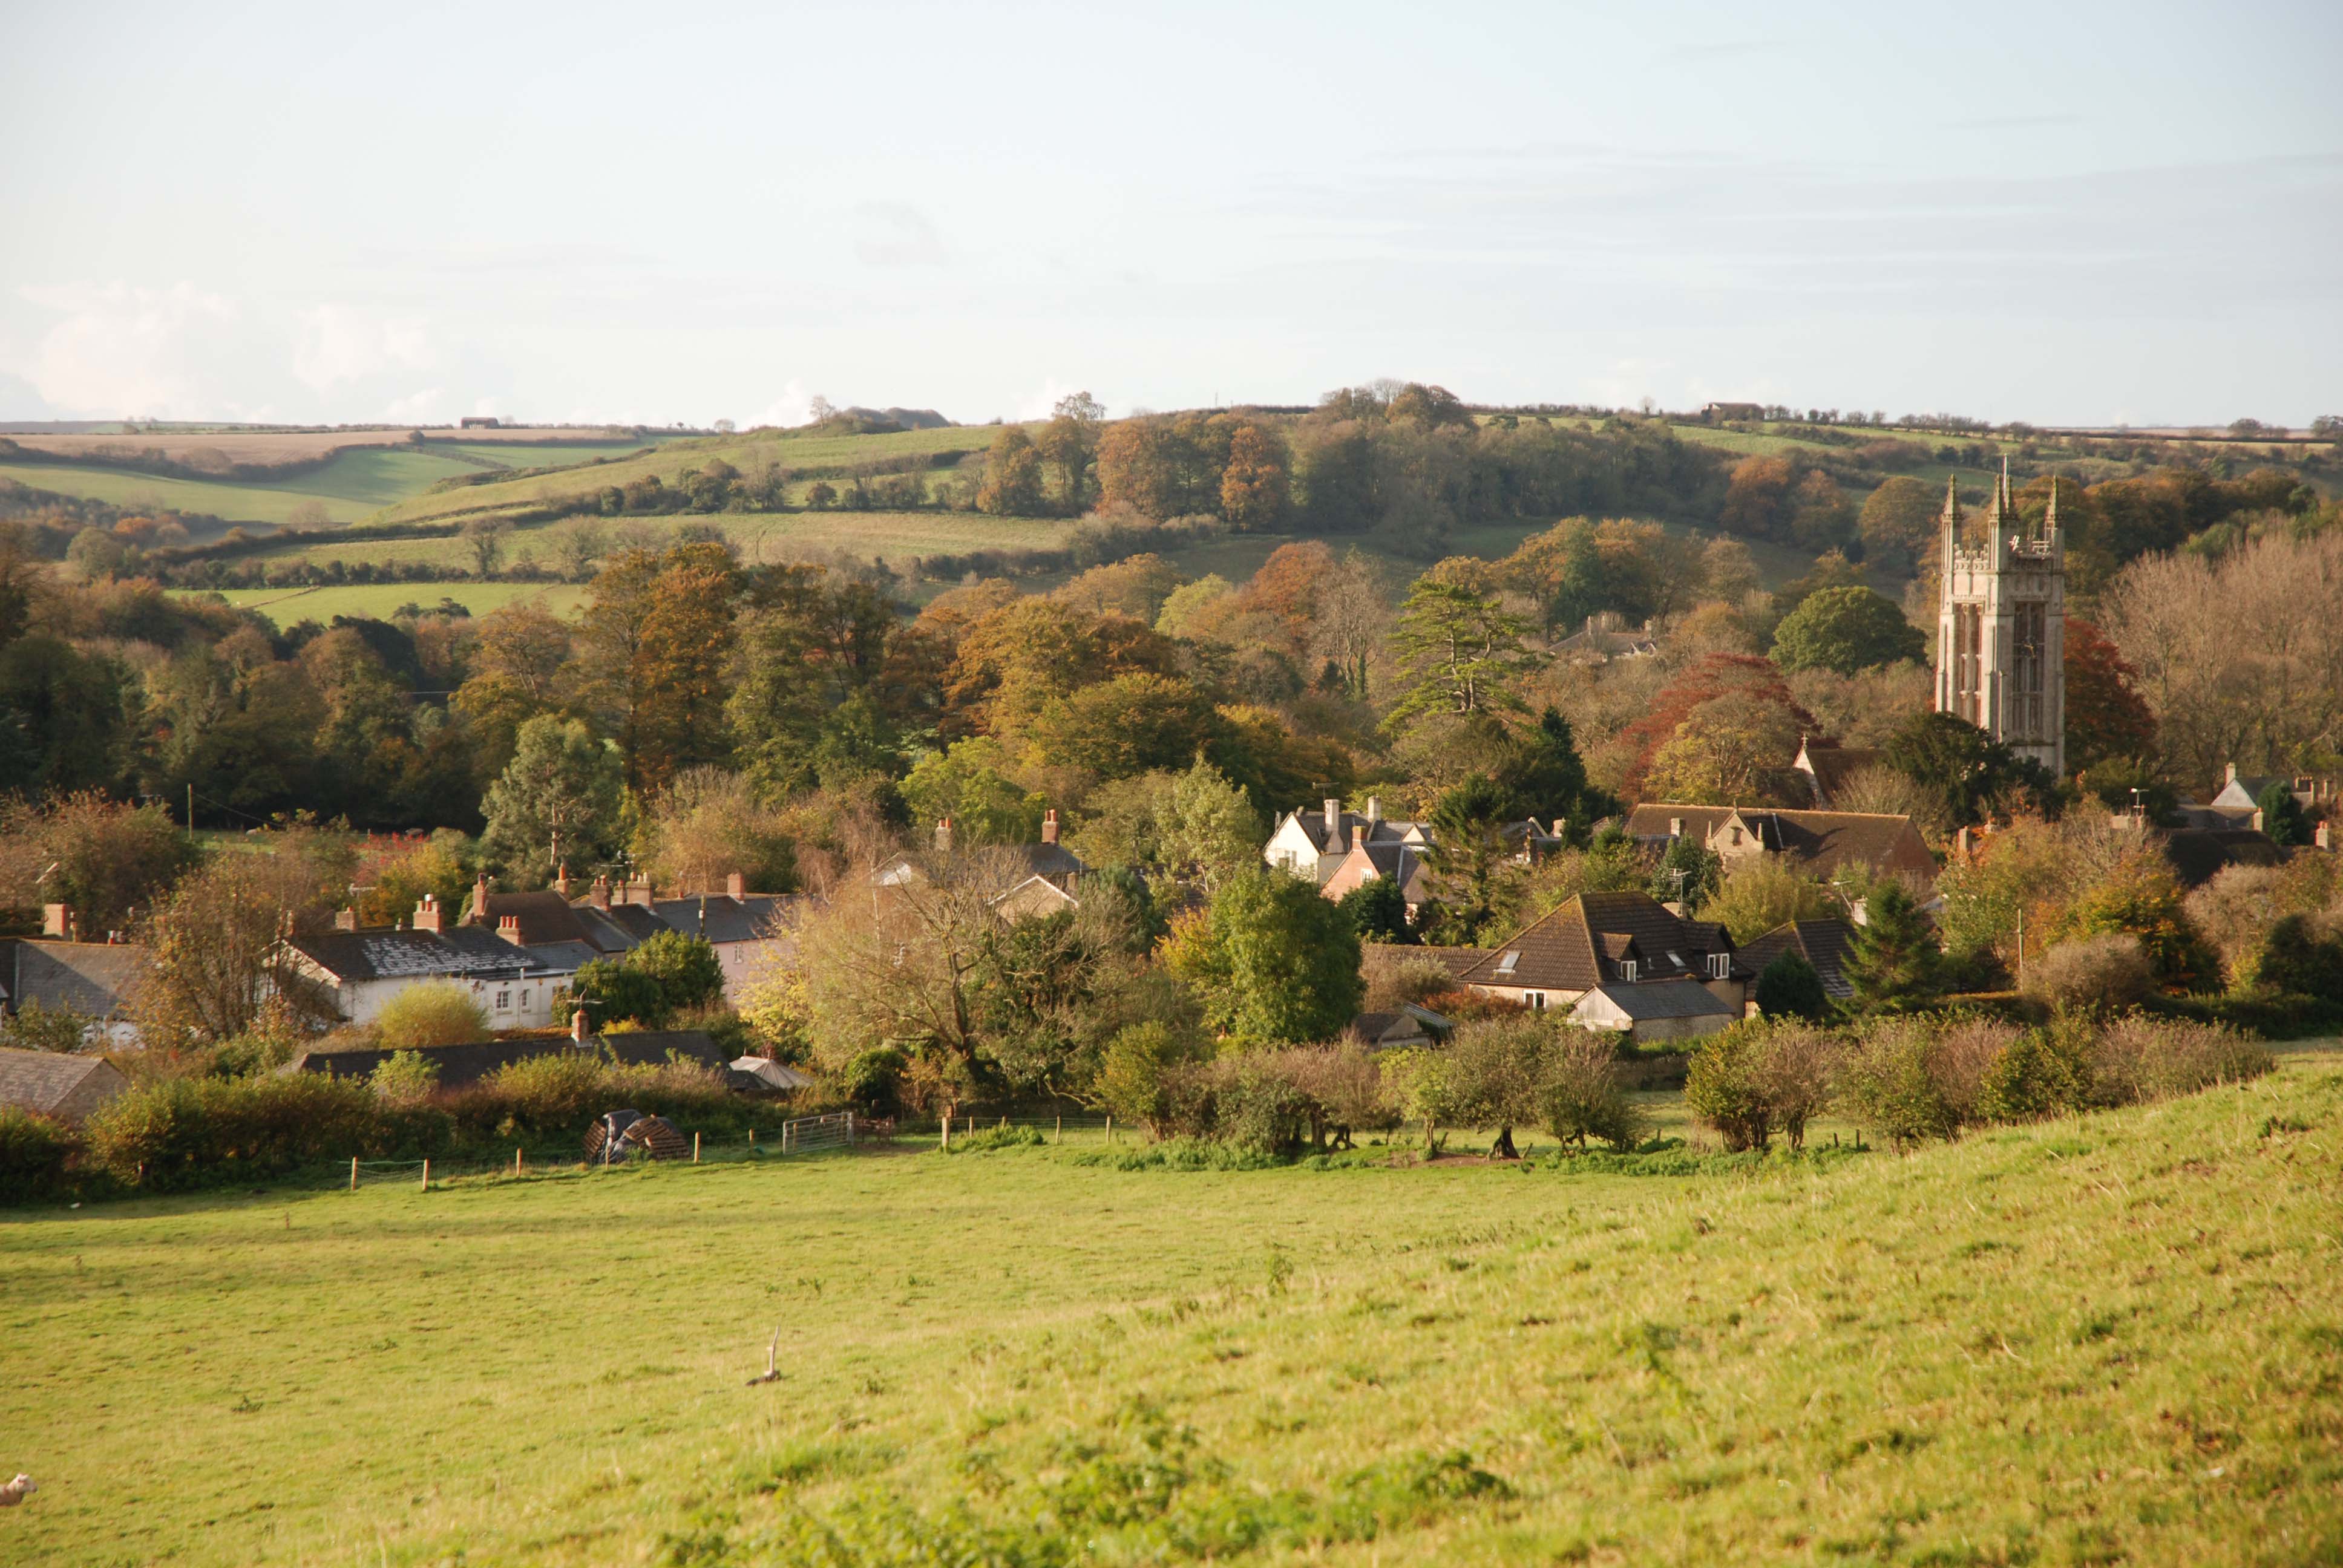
<point x="1639" y="964"/>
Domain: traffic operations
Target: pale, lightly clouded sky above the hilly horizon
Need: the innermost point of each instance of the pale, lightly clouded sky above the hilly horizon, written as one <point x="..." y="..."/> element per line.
<point x="2070" y="214"/>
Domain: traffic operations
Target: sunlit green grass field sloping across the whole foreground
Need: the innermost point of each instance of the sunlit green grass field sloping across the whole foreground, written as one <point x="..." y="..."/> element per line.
<point x="2091" y="1342"/>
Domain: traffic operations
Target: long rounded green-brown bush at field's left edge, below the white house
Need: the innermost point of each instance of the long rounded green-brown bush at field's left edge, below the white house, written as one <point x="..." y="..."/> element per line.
<point x="184" y="1133"/>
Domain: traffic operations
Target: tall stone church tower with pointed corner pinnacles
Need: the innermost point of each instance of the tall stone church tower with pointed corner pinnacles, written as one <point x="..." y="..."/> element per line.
<point x="2002" y="629"/>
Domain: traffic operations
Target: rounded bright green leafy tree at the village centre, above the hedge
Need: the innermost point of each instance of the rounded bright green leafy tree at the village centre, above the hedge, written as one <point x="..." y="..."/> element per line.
<point x="1271" y="960"/>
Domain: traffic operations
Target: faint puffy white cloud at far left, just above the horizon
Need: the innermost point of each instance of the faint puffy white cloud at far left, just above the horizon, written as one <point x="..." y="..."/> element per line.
<point x="121" y="350"/>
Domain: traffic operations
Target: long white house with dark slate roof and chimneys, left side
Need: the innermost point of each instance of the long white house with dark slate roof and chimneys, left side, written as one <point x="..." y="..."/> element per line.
<point x="364" y="969"/>
